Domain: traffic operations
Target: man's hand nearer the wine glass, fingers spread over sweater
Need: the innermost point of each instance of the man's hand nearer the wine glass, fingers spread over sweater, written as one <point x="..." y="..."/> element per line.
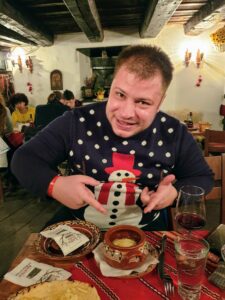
<point x="162" y="197"/>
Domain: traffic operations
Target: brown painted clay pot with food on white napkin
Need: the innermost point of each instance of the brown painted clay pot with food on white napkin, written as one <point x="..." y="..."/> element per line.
<point x="125" y="247"/>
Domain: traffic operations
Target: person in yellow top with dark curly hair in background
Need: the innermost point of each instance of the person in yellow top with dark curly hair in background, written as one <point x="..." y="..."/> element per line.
<point x="23" y="113"/>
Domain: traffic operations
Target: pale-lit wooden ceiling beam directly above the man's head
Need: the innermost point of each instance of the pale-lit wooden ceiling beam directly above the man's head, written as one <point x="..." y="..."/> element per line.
<point x="157" y="15"/>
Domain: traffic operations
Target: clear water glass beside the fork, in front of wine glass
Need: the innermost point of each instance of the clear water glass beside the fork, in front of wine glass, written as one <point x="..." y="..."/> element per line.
<point x="191" y="253"/>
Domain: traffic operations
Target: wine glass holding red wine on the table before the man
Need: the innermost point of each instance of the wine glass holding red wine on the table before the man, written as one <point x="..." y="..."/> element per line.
<point x="190" y="208"/>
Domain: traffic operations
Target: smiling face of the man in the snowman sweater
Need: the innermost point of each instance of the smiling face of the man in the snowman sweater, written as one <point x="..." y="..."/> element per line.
<point x="133" y="102"/>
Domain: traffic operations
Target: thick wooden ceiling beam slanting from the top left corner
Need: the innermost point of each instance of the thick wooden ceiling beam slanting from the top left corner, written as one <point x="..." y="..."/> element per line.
<point x="19" y="22"/>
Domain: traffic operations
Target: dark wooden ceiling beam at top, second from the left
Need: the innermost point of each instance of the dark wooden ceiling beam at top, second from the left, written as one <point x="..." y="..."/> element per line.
<point x="86" y="16"/>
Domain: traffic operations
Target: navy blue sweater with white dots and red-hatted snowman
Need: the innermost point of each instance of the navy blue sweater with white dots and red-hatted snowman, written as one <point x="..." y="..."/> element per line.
<point x="85" y="139"/>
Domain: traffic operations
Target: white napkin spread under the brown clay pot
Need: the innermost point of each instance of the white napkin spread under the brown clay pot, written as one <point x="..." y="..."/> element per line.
<point x="109" y="271"/>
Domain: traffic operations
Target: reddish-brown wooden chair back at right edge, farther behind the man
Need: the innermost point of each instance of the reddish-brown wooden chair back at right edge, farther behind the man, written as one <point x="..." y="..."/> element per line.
<point x="214" y="142"/>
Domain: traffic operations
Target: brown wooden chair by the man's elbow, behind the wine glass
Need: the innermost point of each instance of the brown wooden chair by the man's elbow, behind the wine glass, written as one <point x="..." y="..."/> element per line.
<point x="217" y="164"/>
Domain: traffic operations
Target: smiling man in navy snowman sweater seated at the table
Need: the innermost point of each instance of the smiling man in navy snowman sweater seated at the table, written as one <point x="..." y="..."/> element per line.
<point x="127" y="159"/>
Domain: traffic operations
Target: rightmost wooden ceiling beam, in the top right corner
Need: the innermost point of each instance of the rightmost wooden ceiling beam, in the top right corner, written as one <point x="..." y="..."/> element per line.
<point x="207" y="16"/>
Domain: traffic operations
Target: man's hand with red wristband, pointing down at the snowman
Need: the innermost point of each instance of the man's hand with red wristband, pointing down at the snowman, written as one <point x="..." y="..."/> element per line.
<point x="72" y="191"/>
